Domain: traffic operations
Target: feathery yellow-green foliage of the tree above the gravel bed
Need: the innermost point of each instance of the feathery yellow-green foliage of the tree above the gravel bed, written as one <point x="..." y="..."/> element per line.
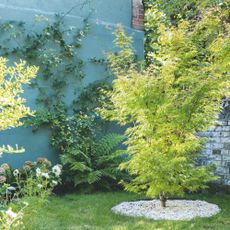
<point x="170" y="101"/>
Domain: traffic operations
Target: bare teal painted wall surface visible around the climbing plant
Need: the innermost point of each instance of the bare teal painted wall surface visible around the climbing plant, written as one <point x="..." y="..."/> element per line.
<point x="105" y="15"/>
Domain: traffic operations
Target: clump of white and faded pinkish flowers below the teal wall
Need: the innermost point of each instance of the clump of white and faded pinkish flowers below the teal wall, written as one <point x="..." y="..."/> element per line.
<point x="33" y="179"/>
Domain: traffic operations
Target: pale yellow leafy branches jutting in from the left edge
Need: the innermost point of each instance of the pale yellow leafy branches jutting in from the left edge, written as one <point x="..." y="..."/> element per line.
<point x="12" y="107"/>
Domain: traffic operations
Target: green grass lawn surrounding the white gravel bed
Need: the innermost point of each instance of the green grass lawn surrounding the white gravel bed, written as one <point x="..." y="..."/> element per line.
<point x="92" y="212"/>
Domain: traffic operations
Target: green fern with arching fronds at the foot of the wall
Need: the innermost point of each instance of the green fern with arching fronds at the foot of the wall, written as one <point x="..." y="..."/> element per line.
<point x="95" y="165"/>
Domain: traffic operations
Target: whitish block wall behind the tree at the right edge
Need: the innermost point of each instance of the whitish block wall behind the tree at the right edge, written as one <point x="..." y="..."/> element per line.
<point x="217" y="149"/>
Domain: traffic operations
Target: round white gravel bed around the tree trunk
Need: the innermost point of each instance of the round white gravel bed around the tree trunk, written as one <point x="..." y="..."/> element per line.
<point x="175" y="210"/>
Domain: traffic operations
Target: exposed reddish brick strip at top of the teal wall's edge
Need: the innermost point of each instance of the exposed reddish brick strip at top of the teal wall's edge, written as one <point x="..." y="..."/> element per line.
<point x="138" y="15"/>
